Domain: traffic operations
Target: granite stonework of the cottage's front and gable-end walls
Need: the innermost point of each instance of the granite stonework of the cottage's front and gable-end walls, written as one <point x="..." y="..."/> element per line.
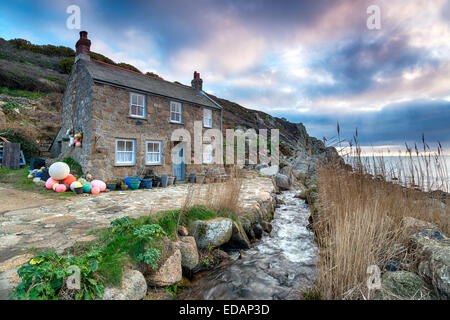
<point x="102" y="113"/>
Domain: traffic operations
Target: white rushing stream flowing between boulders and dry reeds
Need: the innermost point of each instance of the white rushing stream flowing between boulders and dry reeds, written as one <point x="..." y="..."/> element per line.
<point x="278" y="267"/>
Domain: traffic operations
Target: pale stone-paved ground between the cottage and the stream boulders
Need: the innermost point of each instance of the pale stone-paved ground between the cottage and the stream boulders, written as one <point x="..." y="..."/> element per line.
<point x="61" y="224"/>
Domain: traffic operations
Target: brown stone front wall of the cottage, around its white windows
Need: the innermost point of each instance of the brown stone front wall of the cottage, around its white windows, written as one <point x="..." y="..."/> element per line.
<point x="111" y="120"/>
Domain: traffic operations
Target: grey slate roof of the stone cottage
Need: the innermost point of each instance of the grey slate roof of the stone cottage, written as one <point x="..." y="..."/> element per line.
<point x="110" y="74"/>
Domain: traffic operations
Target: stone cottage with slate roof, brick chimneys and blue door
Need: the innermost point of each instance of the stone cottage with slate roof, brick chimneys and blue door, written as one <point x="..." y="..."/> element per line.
<point x="127" y="120"/>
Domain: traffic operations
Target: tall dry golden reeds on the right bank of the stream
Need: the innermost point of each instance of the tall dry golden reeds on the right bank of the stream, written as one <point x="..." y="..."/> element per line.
<point x="361" y="216"/>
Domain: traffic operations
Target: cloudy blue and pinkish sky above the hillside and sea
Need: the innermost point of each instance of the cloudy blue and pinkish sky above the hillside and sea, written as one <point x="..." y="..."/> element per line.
<point x="314" y="61"/>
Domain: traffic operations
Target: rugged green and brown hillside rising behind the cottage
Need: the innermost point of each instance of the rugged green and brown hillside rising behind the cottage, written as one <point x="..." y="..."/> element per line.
<point x="32" y="80"/>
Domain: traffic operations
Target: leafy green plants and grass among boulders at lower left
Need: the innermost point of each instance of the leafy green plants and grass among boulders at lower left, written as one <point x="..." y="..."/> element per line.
<point x="126" y="240"/>
